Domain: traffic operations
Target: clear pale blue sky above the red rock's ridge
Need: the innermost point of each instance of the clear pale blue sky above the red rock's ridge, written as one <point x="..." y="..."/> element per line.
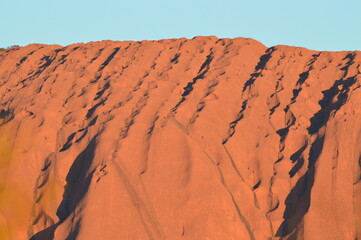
<point x="316" y="24"/>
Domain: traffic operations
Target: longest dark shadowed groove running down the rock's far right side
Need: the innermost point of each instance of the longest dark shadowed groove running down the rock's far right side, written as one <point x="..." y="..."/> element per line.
<point x="298" y="201"/>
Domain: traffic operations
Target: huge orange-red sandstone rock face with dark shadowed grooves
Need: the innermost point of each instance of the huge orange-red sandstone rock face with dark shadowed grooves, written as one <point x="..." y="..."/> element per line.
<point x="179" y="139"/>
